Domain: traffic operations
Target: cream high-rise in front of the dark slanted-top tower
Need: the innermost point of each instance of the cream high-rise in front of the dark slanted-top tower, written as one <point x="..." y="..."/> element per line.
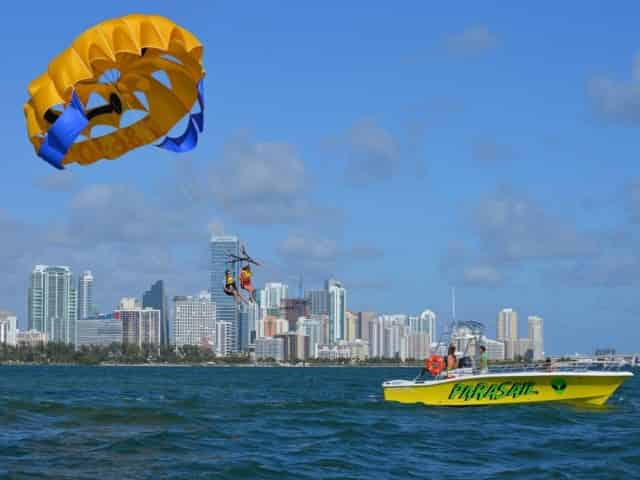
<point x="140" y="326"/>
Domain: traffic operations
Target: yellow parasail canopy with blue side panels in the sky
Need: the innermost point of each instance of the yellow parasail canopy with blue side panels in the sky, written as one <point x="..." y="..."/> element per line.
<point x="137" y="62"/>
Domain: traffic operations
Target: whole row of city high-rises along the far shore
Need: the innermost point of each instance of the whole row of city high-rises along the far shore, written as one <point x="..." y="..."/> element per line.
<point x="319" y="325"/>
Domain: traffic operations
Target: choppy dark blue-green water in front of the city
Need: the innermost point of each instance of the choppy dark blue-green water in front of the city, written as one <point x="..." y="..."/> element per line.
<point x="292" y="423"/>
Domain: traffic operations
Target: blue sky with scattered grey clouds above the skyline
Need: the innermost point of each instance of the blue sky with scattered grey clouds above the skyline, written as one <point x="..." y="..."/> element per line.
<point x="403" y="149"/>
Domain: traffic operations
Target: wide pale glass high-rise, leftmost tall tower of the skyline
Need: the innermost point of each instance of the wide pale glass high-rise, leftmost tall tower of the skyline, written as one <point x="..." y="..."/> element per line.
<point x="52" y="303"/>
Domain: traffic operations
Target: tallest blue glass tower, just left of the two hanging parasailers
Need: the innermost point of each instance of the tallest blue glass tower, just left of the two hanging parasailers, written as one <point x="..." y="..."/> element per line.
<point x="226" y="308"/>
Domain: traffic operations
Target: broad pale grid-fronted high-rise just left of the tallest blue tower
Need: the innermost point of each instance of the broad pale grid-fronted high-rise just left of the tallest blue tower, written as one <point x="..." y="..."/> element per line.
<point x="194" y="320"/>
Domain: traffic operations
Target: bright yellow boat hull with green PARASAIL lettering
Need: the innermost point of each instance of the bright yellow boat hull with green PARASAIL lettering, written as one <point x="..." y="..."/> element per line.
<point x="588" y="388"/>
